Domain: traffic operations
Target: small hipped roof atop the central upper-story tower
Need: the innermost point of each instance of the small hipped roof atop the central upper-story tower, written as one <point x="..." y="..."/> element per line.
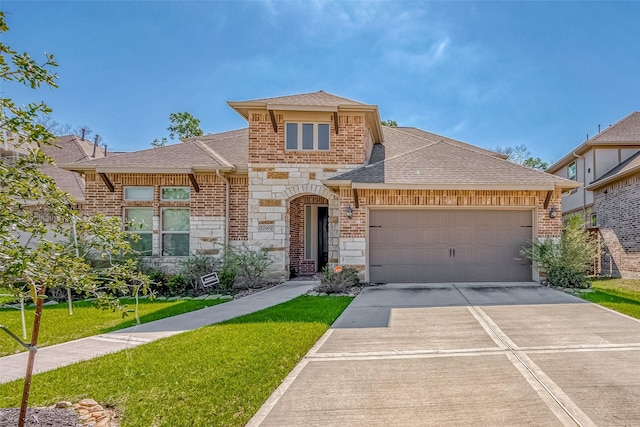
<point x="315" y="101"/>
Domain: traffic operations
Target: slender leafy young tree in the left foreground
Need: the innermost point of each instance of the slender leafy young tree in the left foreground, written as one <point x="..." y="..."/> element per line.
<point x="26" y="194"/>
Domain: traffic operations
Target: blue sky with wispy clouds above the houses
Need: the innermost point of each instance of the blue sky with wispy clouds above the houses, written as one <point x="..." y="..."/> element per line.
<point x="543" y="74"/>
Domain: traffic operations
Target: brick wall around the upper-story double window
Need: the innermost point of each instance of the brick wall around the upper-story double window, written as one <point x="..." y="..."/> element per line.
<point x="347" y="147"/>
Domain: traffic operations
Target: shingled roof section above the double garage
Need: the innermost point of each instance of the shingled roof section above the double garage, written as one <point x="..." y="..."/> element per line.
<point x="416" y="159"/>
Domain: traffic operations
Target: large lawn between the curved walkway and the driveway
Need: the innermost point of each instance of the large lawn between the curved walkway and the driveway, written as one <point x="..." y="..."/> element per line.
<point x="218" y="375"/>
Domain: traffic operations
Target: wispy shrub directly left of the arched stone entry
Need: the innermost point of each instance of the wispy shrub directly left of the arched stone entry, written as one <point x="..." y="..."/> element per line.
<point x="250" y="265"/>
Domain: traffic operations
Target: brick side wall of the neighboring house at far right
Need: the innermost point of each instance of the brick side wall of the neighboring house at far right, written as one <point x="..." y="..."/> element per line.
<point x="618" y="214"/>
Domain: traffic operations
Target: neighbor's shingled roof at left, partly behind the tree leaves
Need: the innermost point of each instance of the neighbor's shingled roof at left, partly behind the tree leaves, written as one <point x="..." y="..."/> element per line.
<point x="68" y="149"/>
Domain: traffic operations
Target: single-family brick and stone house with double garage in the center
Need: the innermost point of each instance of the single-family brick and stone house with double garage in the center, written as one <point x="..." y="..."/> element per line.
<point x="316" y="179"/>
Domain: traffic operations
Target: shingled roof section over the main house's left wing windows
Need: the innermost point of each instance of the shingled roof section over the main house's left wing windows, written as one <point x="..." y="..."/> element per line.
<point x="226" y="151"/>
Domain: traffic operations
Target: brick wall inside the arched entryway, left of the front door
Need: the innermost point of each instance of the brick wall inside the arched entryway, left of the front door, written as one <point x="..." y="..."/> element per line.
<point x="297" y="261"/>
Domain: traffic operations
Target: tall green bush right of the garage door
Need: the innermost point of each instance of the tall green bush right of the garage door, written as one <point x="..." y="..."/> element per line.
<point x="565" y="261"/>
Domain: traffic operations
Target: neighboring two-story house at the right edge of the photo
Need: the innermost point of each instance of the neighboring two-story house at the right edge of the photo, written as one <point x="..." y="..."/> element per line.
<point x="609" y="166"/>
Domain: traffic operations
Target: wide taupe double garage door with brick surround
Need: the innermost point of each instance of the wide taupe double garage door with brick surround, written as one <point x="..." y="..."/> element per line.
<point x="448" y="245"/>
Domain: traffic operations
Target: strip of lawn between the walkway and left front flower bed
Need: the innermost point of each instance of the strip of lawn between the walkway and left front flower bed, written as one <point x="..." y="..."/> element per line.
<point x="58" y="326"/>
